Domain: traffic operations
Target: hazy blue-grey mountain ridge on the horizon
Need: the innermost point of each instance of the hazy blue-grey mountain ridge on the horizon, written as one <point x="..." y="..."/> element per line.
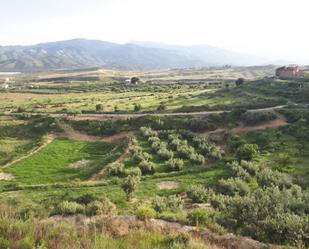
<point x="82" y="53"/>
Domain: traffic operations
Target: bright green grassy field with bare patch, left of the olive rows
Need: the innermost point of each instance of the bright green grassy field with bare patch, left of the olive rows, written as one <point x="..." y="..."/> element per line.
<point x="65" y="160"/>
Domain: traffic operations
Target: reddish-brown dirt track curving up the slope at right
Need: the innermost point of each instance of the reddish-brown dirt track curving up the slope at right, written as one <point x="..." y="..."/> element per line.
<point x="273" y="124"/>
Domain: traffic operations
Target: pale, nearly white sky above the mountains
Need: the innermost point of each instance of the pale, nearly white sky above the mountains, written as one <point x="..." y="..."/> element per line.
<point x="274" y="28"/>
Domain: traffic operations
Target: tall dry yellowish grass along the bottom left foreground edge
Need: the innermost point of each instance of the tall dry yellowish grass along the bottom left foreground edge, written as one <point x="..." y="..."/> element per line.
<point x="20" y="230"/>
